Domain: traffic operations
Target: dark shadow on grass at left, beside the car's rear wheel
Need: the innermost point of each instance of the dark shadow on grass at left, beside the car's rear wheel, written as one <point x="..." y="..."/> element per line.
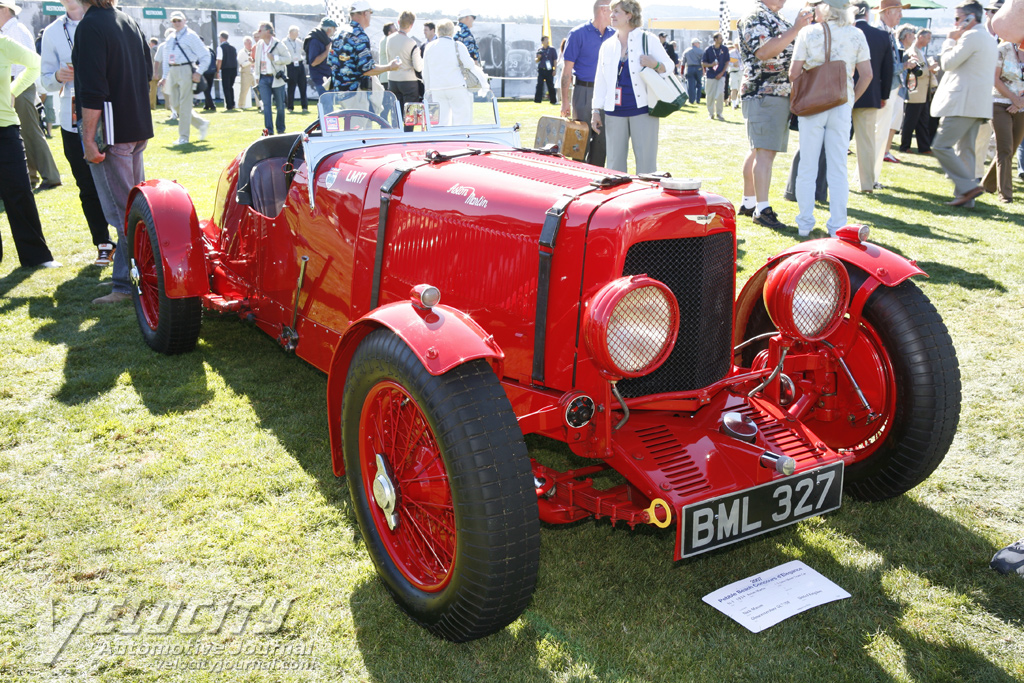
<point x="103" y="343"/>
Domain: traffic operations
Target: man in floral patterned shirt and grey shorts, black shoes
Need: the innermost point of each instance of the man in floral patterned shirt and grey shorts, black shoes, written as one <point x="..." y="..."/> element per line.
<point x="766" y="51"/>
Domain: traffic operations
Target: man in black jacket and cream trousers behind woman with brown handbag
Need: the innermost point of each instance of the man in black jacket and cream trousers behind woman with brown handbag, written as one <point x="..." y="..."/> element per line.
<point x="866" y="110"/>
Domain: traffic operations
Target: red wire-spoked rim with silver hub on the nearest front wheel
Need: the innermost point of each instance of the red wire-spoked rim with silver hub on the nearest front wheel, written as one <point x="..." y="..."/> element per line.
<point x="422" y="544"/>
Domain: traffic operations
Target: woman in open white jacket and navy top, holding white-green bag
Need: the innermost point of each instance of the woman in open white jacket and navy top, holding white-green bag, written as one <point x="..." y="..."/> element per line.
<point x="621" y="93"/>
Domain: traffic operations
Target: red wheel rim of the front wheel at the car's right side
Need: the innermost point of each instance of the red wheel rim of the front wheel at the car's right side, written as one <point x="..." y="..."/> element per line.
<point x="873" y="369"/>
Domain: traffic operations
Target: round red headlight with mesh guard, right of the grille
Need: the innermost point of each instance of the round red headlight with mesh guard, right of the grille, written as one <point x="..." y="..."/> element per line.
<point x="807" y="296"/>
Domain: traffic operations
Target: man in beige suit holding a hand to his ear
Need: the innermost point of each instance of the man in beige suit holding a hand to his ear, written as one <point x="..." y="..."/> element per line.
<point x="964" y="100"/>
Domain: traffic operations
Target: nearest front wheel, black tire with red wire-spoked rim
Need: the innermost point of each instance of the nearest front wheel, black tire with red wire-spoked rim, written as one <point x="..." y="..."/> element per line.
<point x="493" y="525"/>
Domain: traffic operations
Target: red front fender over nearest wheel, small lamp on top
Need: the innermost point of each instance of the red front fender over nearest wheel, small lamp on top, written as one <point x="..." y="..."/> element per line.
<point x="442" y="338"/>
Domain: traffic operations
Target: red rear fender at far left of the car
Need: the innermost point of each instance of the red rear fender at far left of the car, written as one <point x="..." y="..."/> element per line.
<point x="182" y="251"/>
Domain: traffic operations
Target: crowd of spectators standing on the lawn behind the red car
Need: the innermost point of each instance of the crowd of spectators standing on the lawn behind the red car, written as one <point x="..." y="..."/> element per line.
<point x="945" y="100"/>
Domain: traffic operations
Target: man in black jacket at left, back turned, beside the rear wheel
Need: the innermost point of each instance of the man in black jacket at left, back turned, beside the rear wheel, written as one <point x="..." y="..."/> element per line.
<point x="112" y="72"/>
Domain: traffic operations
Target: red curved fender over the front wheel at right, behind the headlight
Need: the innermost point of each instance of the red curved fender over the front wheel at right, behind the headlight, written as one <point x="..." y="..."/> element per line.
<point x="880" y="265"/>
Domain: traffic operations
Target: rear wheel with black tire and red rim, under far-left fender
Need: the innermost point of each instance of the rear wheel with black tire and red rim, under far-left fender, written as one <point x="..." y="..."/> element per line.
<point x="169" y="326"/>
